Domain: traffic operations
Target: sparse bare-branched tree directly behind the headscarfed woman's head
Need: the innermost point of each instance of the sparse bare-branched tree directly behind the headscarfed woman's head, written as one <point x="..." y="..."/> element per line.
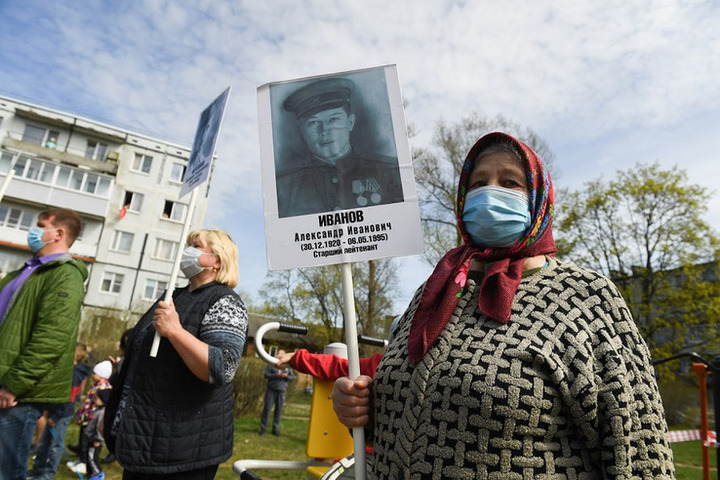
<point x="437" y="170"/>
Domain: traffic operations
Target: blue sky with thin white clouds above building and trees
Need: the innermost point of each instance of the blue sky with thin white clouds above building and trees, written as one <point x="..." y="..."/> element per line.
<point x="606" y="84"/>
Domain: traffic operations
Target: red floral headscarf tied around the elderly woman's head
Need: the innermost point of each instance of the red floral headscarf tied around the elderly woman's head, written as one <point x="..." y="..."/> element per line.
<point x="503" y="274"/>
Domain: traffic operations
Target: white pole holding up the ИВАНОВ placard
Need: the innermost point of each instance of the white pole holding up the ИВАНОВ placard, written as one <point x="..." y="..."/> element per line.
<point x="353" y="361"/>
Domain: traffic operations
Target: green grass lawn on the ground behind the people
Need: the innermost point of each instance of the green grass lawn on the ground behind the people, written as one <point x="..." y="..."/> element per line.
<point x="290" y="445"/>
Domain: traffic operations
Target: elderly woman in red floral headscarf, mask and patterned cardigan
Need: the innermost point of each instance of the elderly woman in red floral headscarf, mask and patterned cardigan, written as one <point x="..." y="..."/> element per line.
<point x="510" y="363"/>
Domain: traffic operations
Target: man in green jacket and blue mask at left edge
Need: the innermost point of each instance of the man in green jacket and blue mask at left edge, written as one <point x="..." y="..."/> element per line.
<point x="39" y="317"/>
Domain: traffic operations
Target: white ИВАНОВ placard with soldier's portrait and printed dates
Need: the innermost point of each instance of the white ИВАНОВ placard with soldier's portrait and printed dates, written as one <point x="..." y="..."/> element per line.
<point x="337" y="175"/>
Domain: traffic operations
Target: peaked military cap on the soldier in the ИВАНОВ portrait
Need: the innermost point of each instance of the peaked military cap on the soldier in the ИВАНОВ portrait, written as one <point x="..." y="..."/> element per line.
<point x="318" y="96"/>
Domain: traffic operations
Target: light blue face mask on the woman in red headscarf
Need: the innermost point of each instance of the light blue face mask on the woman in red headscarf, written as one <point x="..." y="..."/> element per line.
<point x="496" y="216"/>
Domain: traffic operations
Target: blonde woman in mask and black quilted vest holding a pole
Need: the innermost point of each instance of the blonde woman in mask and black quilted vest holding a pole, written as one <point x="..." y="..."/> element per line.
<point x="171" y="416"/>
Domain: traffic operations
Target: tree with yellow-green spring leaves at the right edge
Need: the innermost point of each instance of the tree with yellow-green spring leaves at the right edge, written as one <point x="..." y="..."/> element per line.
<point x="645" y="230"/>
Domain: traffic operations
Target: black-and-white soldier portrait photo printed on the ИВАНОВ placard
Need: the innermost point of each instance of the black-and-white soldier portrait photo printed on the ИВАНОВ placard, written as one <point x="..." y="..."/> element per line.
<point x="334" y="144"/>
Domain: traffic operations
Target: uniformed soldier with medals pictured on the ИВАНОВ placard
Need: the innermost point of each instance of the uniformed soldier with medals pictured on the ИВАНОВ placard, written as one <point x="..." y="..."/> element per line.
<point x="332" y="174"/>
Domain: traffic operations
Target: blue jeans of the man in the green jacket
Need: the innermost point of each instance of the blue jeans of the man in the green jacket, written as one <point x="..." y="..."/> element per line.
<point x="17" y="425"/>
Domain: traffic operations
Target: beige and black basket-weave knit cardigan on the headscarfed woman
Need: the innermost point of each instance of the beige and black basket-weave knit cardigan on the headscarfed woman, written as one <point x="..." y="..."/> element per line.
<point x="564" y="390"/>
